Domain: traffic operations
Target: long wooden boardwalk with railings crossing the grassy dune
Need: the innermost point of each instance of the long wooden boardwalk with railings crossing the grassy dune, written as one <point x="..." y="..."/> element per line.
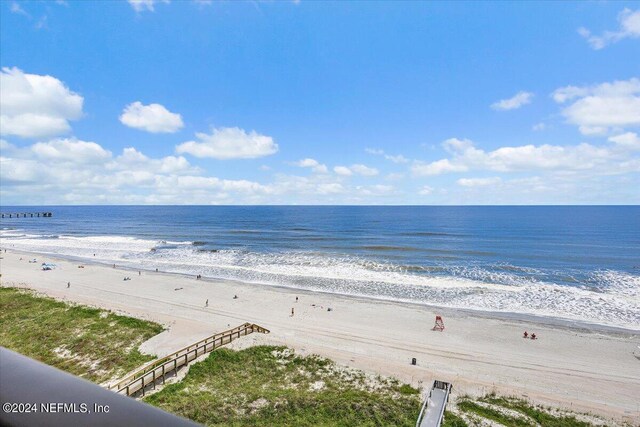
<point x="159" y="368"/>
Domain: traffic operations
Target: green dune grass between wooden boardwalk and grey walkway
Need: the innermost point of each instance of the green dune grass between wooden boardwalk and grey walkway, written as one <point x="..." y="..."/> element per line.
<point x="271" y="386"/>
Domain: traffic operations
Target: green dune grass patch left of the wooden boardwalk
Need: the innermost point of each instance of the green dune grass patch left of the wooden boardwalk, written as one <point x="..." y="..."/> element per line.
<point x="88" y="342"/>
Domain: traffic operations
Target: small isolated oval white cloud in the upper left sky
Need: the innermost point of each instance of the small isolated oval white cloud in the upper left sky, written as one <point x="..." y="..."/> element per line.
<point x="153" y="118"/>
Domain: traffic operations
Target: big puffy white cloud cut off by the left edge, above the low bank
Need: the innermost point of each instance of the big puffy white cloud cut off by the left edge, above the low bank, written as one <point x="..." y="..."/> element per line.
<point x="34" y="106"/>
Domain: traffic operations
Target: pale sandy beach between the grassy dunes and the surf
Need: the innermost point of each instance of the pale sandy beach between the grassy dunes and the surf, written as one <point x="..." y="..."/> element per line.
<point x="582" y="368"/>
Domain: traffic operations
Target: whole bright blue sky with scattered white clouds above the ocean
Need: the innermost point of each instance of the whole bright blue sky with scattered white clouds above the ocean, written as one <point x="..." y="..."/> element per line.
<point x="199" y="102"/>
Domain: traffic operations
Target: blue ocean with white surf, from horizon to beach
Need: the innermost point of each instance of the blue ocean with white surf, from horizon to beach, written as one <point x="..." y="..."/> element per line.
<point x="575" y="263"/>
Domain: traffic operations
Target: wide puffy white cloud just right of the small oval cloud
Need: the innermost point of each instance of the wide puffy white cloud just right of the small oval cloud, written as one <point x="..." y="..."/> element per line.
<point x="229" y="143"/>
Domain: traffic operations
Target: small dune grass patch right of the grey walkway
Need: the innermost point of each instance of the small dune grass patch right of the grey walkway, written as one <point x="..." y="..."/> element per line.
<point x="509" y="412"/>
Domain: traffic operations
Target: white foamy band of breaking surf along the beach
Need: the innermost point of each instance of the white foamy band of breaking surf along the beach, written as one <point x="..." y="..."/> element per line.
<point x="605" y="297"/>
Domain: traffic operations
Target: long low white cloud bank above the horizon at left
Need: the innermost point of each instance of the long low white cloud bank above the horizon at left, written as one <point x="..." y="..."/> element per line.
<point x="73" y="171"/>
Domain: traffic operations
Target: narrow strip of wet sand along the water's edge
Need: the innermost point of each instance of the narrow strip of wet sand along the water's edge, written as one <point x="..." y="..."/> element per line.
<point x="560" y="322"/>
